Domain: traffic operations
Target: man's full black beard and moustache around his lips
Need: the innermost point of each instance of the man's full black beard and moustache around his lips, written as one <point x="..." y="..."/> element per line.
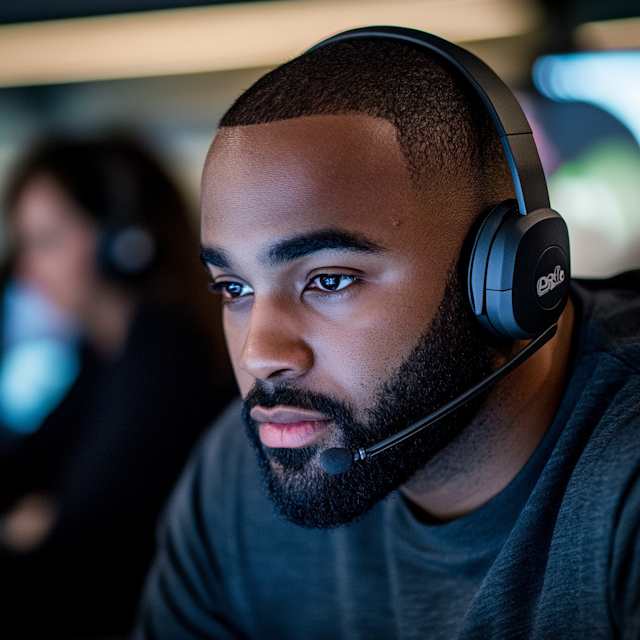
<point x="449" y="358"/>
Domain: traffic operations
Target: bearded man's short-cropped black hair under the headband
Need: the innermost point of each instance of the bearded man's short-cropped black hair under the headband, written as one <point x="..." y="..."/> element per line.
<point x="443" y="128"/>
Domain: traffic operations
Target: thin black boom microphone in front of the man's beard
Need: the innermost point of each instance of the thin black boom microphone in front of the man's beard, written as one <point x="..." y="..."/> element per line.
<point x="336" y="461"/>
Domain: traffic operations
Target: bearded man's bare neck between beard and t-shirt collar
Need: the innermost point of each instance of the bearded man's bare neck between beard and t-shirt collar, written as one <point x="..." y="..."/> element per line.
<point x="493" y="449"/>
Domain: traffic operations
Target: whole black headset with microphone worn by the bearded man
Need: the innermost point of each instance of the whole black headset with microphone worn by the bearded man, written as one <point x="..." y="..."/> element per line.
<point x="519" y="270"/>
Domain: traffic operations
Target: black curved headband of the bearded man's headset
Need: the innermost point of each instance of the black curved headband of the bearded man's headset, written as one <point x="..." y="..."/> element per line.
<point x="508" y="118"/>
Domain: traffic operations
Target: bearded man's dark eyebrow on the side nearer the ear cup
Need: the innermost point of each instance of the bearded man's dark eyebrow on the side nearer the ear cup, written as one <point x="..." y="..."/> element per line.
<point x="305" y="244"/>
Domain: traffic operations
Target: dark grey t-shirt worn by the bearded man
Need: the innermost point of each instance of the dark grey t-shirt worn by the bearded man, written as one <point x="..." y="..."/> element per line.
<point x="554" y="555"/>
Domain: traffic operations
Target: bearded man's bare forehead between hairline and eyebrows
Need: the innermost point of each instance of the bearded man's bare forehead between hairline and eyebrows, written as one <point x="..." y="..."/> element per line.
<point x="345" y="172"/>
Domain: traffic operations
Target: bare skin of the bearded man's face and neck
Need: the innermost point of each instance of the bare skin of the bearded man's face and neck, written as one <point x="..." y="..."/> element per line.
<point x="340" y="317"/>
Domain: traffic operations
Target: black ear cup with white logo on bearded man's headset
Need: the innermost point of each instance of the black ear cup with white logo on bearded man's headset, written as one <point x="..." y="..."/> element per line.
<point x="519" y="271"/>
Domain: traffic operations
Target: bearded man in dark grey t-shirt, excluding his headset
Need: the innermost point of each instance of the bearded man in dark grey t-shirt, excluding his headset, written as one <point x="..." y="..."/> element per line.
<point x="338" y="200"/>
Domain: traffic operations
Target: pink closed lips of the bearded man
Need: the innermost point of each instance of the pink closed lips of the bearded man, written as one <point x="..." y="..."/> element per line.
<point x="288" y="427"/>
